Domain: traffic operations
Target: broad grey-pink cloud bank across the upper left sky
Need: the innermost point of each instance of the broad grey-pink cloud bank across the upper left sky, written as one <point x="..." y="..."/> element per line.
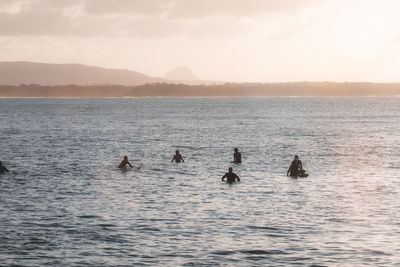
<point x="146" y="19"/>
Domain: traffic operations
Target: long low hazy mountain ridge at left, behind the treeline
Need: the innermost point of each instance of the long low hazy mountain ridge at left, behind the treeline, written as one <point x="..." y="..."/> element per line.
<point x="16" y="73"/>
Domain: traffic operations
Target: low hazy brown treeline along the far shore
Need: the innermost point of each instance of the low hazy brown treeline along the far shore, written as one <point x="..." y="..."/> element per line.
<point x="216" y="90"/>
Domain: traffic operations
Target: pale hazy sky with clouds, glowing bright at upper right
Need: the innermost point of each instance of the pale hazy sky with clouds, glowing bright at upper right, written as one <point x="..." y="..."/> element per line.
<point x="231" y="40"/>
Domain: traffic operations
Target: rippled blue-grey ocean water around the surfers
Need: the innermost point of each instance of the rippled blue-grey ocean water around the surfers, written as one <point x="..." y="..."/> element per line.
<point x="65" y="203"/>
